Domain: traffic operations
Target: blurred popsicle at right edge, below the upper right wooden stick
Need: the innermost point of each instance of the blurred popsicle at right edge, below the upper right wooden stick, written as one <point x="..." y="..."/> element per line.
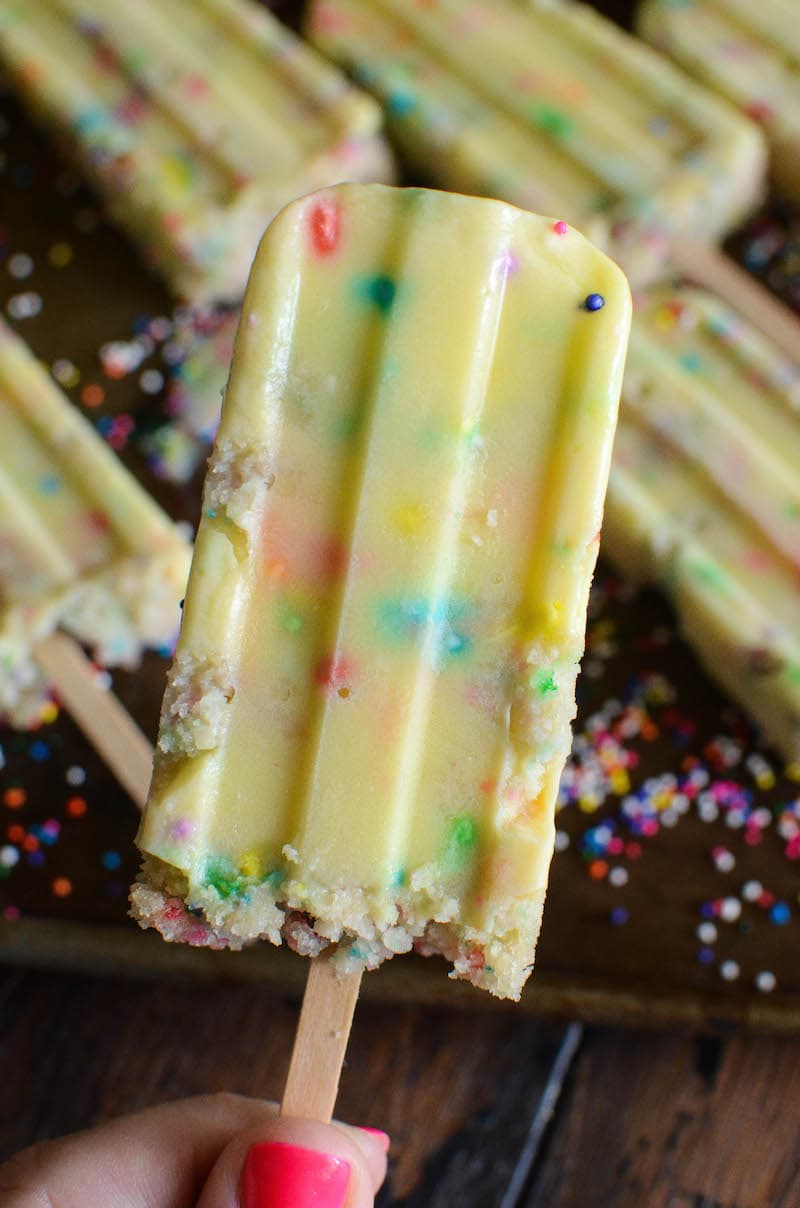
<point x="705" y="496"/>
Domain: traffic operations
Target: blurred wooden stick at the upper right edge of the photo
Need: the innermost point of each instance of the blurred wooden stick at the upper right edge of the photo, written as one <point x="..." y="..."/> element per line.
<point x="714" y="270"/>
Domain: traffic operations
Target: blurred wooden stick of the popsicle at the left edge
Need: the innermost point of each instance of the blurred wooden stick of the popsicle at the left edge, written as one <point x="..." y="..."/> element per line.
<point x="106" y="723"/>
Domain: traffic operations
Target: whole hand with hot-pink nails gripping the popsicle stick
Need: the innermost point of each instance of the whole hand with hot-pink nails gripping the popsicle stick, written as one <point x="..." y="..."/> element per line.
<point x="212" y="1152"/>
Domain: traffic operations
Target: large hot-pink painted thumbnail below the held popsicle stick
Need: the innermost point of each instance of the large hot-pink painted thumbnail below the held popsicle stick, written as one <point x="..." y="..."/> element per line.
<point x="279" y="1176"/>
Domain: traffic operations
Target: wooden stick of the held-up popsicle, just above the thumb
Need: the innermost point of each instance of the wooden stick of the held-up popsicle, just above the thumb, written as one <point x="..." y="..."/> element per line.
<point x="321" y="1042"/>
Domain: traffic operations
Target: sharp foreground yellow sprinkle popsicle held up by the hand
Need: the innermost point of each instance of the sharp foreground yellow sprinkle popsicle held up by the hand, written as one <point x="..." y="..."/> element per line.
<point x="372" y="699"/>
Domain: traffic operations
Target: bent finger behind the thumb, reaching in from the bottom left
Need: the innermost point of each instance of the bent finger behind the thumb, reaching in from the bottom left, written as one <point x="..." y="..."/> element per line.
<point x="155" y="1159"/>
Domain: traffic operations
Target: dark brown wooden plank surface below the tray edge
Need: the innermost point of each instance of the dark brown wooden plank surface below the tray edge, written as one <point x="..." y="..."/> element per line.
<point x="485" y="1112"/>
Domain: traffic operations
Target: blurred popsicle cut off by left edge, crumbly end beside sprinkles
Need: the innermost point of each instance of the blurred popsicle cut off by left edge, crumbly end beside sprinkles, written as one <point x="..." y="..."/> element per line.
<point x="84" y="549"/>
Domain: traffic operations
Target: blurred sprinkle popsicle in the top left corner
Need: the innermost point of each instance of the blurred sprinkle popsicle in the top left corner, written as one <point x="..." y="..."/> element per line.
<point x="198" y="120"/>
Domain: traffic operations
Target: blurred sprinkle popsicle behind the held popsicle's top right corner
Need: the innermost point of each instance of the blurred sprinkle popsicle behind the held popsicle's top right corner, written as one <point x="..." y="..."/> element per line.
<point x="552" y="107"/>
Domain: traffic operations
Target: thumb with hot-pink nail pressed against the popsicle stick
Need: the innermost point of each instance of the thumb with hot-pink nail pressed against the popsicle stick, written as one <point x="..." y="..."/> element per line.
<point x="299" y="1164"/>
